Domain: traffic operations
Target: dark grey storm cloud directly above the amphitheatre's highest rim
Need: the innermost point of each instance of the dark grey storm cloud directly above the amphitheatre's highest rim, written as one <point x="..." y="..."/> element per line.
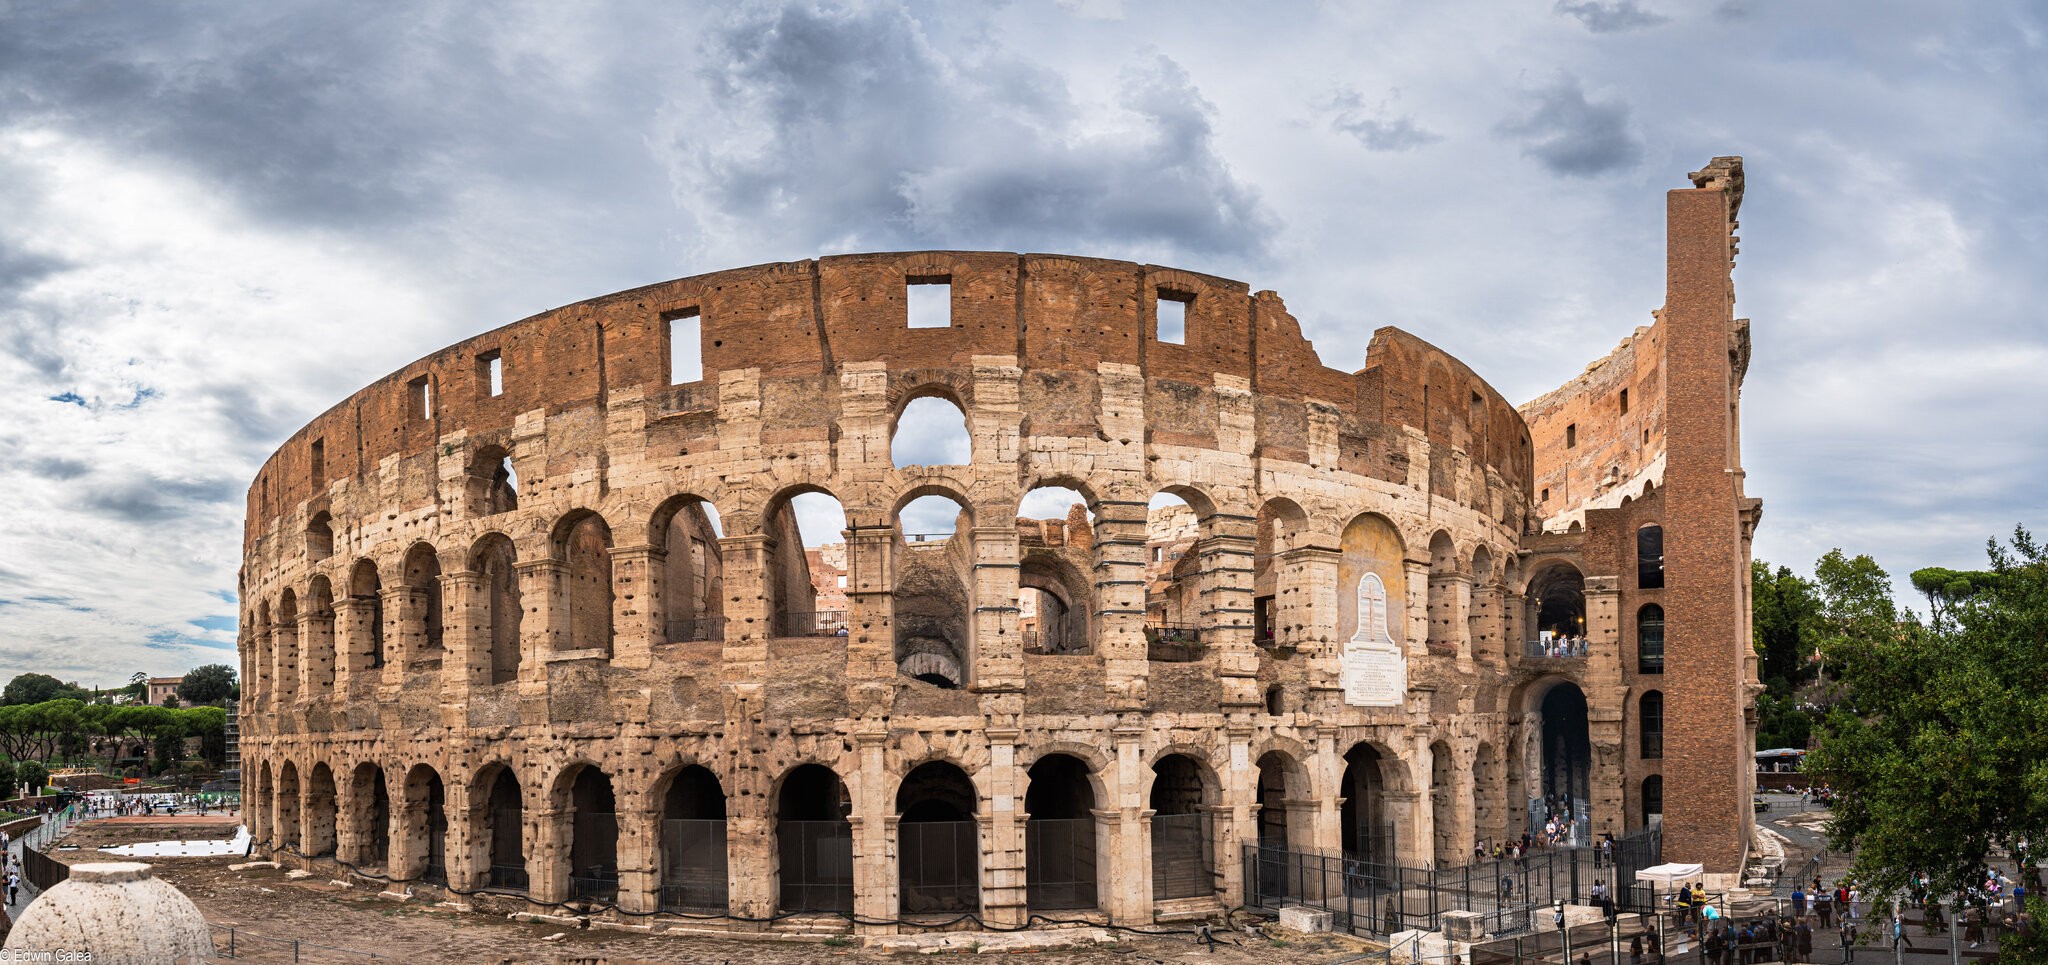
<point x="855" y="120"/>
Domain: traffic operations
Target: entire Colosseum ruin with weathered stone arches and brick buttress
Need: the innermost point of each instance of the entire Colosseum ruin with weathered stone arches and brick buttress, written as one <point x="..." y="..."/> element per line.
<point x="534" y="624"/>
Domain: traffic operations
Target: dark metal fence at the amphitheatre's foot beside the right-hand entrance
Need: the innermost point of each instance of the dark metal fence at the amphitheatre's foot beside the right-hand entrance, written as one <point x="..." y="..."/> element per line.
<point x="1383" y="898"/>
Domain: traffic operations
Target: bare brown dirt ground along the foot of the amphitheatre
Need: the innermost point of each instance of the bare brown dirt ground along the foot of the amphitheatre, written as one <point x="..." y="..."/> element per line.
<point x="267" y="911"/>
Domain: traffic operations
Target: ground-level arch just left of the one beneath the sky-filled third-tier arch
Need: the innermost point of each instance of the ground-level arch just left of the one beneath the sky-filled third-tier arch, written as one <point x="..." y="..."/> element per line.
<point x="814" y="843"/>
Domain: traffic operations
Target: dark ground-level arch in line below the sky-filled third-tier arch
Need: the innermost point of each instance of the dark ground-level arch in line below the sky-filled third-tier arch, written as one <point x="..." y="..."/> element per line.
<point x="939" y="851"/>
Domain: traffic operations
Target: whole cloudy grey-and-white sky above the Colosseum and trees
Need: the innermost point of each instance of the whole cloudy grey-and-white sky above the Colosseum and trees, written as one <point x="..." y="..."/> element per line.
<point x="216" y="220"/>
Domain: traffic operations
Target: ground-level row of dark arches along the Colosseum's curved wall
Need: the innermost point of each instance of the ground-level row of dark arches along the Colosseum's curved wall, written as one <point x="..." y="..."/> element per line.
<point x="572" y="835"/>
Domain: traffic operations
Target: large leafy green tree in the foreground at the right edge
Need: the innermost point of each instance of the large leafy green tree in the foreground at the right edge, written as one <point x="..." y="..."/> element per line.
<point x="1938" y="741"/>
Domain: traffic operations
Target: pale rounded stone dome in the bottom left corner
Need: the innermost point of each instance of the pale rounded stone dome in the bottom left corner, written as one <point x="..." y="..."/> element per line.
<point x="118" y="913"/>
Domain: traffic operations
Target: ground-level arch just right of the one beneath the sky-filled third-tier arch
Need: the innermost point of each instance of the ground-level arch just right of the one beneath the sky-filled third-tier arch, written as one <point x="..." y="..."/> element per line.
<point x="1060" y="837"/>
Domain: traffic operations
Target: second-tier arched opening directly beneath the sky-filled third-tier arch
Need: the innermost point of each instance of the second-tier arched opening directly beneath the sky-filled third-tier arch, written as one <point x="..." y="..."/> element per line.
<point x="933" y="607"/>
